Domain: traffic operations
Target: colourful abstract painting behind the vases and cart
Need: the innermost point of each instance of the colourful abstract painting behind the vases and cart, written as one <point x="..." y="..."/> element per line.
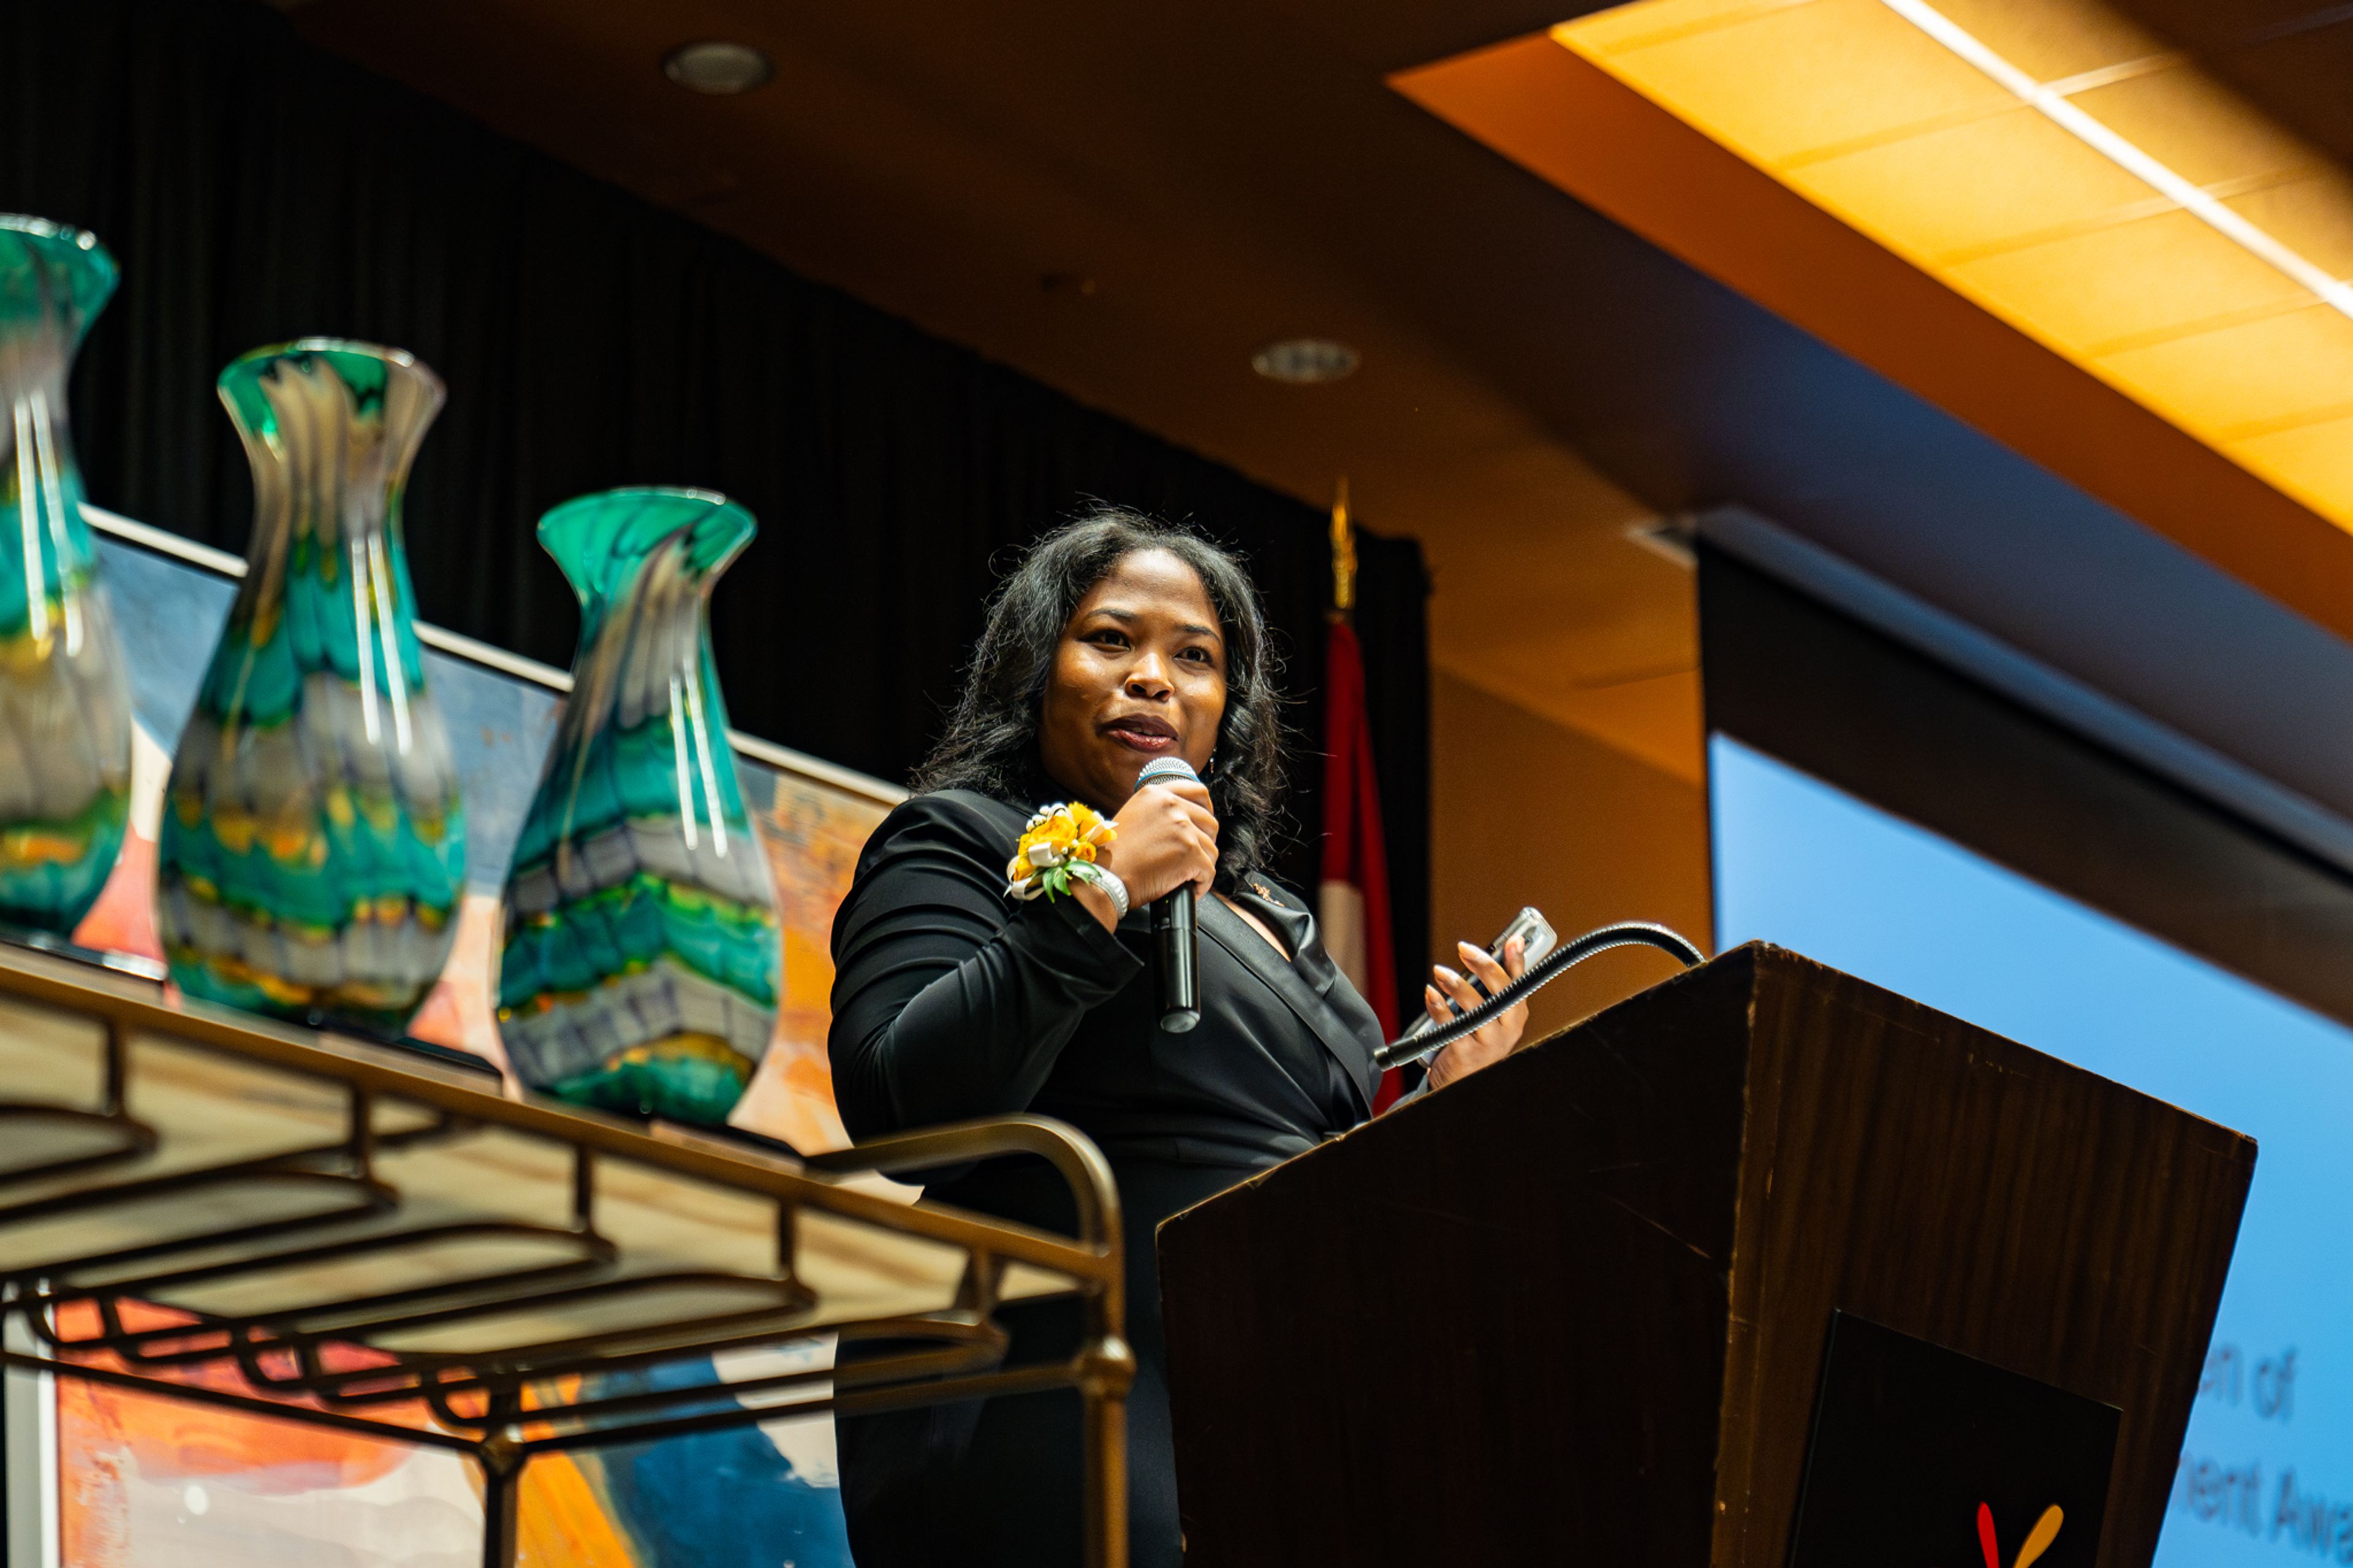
<point x="159" y="1484"/>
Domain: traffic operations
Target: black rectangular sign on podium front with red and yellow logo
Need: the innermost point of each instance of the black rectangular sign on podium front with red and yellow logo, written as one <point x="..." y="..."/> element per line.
<point x="1926" y="1459"/>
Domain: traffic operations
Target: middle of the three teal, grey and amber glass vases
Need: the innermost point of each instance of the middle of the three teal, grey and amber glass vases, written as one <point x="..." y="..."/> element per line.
<point x="314" y="835"/>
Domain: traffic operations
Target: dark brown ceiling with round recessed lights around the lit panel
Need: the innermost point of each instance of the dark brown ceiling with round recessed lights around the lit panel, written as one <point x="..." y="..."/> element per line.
<point x="1535" y="376"/>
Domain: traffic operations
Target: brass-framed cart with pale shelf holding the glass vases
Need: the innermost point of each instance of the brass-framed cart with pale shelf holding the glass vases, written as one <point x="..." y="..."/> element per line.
<point x="382" y="1244"/>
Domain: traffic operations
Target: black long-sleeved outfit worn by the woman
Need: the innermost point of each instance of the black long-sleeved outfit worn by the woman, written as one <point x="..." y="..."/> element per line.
<point x="954" y="1002"/>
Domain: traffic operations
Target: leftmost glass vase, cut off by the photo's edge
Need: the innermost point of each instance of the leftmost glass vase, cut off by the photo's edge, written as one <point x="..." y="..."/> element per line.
<point x="65" y="696"/>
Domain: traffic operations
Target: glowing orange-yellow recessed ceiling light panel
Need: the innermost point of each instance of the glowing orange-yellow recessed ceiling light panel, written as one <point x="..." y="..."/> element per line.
<point x="1952" y="197"/>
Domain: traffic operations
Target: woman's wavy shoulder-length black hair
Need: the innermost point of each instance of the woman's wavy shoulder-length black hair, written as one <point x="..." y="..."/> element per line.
<point x="992" y="743"/>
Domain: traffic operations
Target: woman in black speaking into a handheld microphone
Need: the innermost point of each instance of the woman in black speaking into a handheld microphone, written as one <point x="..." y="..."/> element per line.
<point x="968" y="990"/>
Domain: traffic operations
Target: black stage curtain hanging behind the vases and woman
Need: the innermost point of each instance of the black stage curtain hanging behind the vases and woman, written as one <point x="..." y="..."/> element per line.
<point x="258" y="190"/>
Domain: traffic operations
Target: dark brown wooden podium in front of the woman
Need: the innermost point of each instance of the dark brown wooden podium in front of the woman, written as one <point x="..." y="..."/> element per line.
<point x="1575" y="1310"/>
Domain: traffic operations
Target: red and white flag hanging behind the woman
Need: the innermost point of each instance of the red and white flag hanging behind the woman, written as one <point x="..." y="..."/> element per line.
<point x="1354" y="896"/>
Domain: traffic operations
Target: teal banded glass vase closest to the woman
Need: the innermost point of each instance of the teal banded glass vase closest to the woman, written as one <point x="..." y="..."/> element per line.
<point x="641" y="955"/>
